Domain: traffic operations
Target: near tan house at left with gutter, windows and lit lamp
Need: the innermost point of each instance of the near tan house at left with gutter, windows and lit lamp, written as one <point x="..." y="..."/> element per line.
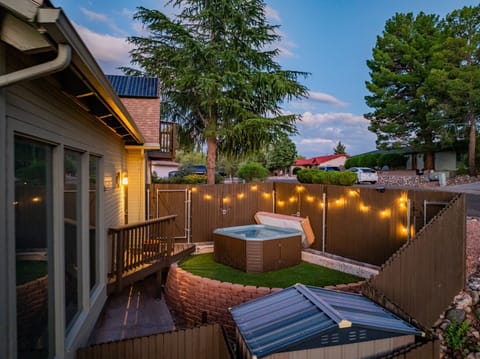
<point x="69" y="147"/>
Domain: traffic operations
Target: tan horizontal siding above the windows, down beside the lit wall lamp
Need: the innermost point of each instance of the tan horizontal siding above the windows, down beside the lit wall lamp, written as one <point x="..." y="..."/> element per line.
<point x="65" y="123"/>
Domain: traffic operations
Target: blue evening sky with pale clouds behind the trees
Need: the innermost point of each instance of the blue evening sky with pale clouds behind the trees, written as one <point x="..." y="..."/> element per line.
<point x="330" y="39"/>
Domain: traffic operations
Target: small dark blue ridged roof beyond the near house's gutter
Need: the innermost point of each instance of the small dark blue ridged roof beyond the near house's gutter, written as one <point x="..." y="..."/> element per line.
<point x="134" y="86"/>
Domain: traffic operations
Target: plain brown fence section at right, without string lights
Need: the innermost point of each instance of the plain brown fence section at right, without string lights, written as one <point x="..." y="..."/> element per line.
<point x="425" y="274"/>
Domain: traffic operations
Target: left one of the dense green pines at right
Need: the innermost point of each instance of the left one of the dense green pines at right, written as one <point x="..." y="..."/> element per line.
<point x="402" y="110"/>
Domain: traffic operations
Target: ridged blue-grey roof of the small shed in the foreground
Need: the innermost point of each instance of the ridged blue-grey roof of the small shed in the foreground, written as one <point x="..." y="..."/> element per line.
<point x="299" y="316"/>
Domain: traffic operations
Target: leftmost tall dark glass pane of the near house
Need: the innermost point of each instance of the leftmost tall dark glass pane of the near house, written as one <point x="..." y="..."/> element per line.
<point x="33" y="244"/>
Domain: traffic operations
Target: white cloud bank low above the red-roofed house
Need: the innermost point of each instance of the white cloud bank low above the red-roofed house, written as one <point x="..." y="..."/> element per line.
<point x="320" y="132"/>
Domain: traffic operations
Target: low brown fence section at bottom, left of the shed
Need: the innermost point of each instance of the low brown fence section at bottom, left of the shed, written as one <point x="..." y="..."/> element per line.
<point x="206" y="342"/>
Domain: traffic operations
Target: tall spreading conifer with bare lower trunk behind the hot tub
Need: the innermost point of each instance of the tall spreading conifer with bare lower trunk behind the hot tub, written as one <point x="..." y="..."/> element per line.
<point x="218" y="73"/>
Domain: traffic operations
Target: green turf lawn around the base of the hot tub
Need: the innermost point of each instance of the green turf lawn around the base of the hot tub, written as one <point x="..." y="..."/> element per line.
<point x="306" y="273"/>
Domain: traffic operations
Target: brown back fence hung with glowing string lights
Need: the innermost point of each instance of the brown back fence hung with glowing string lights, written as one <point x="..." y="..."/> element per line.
<point x="364" y="224"/>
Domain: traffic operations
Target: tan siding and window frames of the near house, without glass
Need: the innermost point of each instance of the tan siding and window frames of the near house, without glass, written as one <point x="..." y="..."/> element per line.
<point x="38" y="109"/>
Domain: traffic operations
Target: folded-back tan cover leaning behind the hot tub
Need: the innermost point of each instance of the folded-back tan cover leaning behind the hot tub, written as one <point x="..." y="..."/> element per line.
<point x="285" y="221"/>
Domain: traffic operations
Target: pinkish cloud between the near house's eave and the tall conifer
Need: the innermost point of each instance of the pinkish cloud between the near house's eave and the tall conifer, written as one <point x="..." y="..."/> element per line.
<point x="110" y="51"/>
